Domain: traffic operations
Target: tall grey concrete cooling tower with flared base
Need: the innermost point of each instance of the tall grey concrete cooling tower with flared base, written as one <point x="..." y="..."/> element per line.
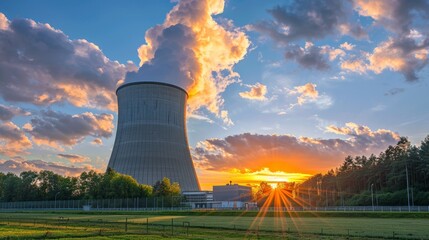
<point x="151" y="140"/>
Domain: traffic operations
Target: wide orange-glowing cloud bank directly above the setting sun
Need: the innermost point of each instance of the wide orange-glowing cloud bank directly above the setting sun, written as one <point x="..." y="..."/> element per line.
<point x="253" y="152"/>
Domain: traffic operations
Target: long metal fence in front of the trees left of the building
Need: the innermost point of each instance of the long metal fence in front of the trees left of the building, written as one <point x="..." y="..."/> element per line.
<point x="127" y="204"/>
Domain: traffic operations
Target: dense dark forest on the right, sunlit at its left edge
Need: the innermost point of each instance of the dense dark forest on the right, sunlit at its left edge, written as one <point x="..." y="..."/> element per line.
<point x="380" y="180"/>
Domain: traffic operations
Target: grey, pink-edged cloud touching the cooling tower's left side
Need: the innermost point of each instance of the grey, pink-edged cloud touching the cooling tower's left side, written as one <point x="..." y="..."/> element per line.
<point x="55" y="129"/>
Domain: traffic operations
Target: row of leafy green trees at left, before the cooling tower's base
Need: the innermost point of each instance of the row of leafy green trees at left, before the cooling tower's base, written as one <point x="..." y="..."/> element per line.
<point x="47" y="185"/>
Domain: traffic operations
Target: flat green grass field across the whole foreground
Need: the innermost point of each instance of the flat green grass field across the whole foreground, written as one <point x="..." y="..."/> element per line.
<point x="212" y="225"/>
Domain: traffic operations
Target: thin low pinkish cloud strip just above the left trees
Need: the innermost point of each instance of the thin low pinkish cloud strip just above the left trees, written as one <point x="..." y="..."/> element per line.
<point x="16" y="167"/>
